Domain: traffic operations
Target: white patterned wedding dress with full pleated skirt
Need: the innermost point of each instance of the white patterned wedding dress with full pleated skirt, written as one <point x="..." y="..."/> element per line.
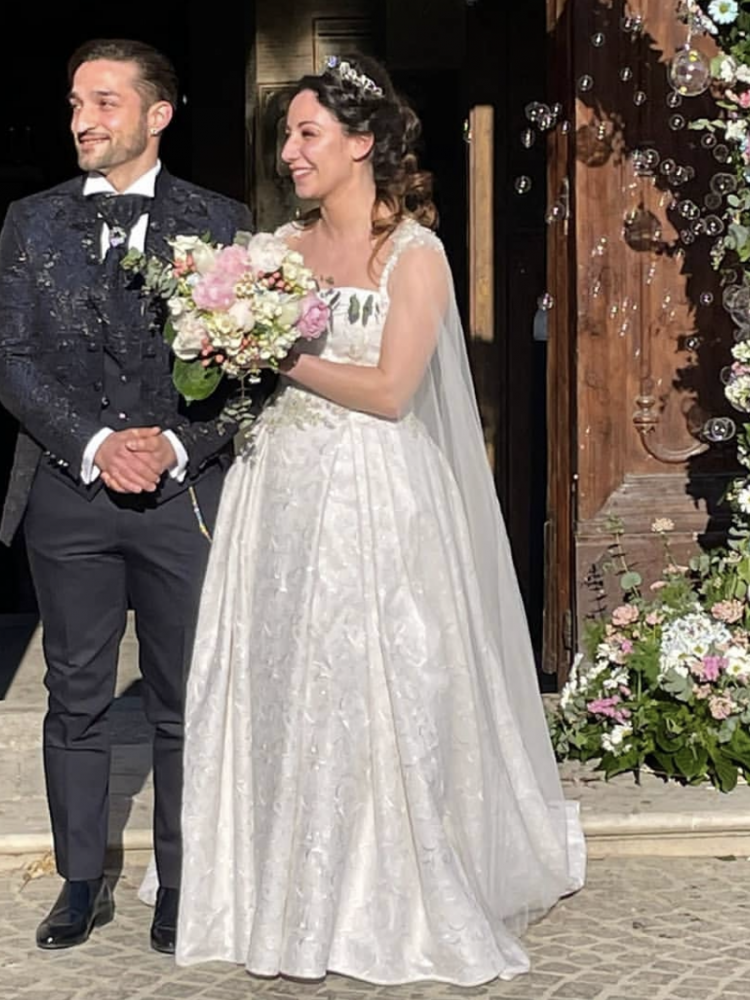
<point x="363" y="793"/>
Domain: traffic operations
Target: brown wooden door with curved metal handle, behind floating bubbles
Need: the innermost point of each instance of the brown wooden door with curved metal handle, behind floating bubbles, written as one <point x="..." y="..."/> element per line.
<point x="637" y="332"/>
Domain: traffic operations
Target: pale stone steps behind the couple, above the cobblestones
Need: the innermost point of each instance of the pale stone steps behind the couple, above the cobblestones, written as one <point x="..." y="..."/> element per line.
<point x="620" y="818"/>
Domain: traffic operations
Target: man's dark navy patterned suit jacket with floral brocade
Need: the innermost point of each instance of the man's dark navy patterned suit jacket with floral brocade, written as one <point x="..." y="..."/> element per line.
<point x="52" y="331"/>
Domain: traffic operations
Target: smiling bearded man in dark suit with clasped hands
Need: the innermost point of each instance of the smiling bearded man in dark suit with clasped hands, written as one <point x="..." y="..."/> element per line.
<point x="116" y="480"/>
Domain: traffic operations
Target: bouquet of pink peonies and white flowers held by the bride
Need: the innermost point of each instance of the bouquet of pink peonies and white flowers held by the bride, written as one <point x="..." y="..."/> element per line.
<point x="233" y="309"/>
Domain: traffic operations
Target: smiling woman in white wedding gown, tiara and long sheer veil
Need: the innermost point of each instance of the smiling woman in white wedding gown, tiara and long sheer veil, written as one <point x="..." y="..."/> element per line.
<point x="369" y="784"/>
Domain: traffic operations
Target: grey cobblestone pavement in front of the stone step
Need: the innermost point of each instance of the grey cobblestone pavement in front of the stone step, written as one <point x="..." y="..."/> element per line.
<point x="642" y="929"/>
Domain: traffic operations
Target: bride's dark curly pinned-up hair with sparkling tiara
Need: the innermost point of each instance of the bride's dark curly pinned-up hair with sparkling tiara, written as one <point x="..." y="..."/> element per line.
<point x="364" y="101"/>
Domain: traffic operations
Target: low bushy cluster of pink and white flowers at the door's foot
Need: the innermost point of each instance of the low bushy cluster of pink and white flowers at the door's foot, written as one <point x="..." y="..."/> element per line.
<point x="665" y="681"/>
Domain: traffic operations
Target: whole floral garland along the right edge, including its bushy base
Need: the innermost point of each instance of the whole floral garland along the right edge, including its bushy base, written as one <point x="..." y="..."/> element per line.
<point x="664" y="679"/>
